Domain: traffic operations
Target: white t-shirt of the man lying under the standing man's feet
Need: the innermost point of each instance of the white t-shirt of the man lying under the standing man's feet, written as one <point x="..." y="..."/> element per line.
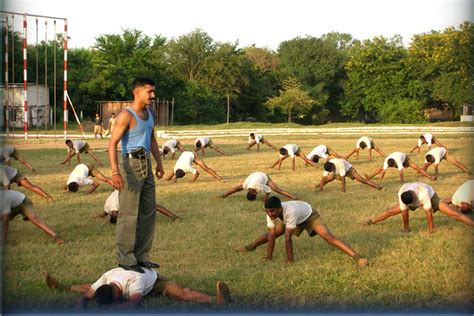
<point x="130" y="282"/>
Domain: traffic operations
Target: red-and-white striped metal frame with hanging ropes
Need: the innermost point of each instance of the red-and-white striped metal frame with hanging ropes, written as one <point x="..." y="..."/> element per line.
<point x="25" y="66"/>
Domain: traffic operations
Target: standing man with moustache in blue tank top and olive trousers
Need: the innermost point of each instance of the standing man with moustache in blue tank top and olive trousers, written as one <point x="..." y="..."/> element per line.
<point x="134" y="178"/>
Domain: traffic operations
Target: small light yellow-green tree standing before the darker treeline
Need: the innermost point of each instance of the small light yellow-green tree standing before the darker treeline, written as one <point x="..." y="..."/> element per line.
<point x="292" y="99"/>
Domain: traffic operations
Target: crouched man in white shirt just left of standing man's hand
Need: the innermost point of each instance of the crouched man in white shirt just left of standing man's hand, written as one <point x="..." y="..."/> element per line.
<point x="79" y="177"/>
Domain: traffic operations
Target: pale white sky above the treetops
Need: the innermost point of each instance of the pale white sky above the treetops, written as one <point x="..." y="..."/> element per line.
<point x="265" y="23"/>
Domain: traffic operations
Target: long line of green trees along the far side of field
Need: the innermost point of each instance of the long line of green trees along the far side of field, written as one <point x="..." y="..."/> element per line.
<point x="307" y="80"/>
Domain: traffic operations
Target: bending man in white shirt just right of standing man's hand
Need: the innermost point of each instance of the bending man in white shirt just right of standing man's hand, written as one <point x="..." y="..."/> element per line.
<point x="184" y="165"/>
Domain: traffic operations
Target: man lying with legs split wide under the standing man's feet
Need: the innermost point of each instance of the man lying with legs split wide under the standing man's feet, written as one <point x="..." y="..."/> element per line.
<point x="127" y="288"/>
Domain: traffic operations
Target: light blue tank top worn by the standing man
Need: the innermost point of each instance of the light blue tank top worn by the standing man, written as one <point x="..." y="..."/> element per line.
<point x="139" y="135"/>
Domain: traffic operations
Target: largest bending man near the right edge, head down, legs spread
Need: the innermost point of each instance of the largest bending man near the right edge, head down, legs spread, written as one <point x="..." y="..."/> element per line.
<point x="418" y="194"/>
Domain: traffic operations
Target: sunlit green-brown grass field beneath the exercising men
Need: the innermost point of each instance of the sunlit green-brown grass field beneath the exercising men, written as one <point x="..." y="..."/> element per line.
<point x="415" y="272"/>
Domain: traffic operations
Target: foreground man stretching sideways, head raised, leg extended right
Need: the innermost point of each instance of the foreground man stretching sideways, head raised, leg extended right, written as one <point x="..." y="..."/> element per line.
<point x="296" y="216"/>
